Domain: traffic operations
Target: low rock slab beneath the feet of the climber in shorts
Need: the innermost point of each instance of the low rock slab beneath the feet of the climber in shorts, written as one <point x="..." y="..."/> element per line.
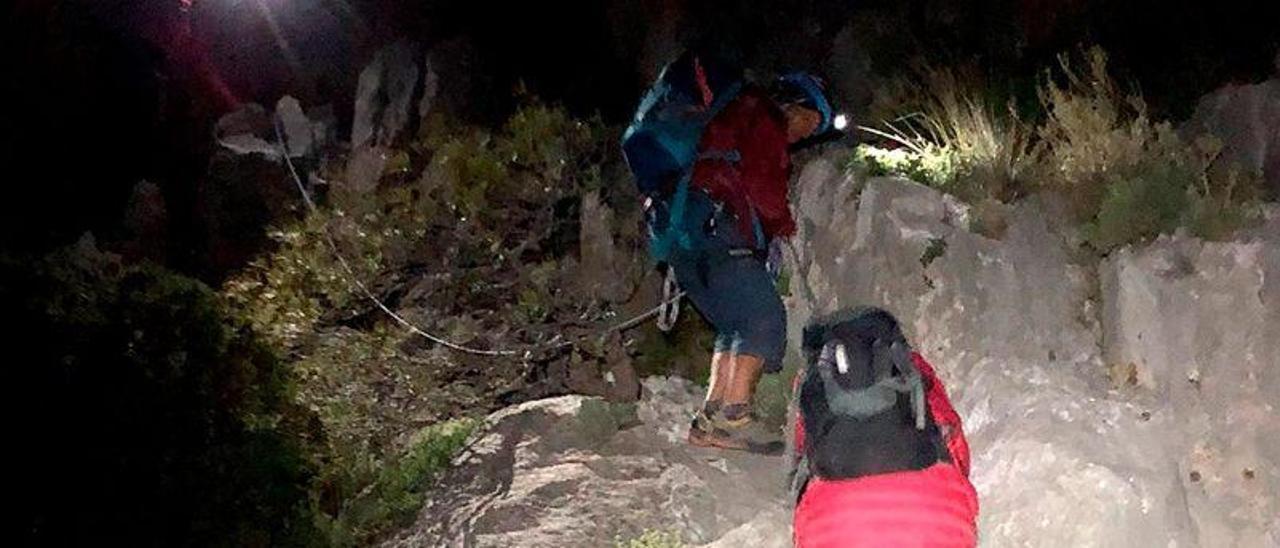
<point x="577" y="472"/>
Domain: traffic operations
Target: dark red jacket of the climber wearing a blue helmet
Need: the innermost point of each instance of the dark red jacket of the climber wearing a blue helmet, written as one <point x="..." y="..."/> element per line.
<point x="753" y="127"/>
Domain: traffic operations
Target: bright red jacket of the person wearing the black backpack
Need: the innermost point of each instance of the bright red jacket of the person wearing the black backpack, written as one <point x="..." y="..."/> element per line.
<point x="931" y="508"/>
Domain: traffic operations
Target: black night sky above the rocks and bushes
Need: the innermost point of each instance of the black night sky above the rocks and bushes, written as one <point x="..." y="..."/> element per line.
<point x="100" y="94"/>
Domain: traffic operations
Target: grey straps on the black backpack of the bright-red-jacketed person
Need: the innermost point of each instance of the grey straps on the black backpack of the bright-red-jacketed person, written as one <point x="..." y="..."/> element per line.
<point x="881" y="396"/>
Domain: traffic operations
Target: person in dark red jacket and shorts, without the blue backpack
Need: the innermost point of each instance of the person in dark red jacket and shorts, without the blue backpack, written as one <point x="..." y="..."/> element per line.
<point x="744" y="171"/>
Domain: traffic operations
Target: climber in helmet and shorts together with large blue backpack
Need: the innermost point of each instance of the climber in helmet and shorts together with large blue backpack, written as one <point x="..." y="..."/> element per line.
<point x="717" y="205"/>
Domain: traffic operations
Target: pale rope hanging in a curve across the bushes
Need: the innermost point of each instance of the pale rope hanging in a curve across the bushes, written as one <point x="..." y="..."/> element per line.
<point x="364" y="290"/>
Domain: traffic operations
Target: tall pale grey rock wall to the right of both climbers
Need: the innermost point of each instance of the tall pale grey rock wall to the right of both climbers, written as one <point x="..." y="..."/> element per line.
<point x="1062" y="456"/>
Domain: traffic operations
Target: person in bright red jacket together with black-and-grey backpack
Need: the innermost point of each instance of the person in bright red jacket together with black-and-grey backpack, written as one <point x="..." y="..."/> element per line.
<point x="879" y="456"/>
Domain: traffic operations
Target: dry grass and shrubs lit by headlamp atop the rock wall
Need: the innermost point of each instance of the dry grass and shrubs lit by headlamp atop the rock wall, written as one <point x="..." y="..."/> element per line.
<point x="1127" y="177"/>
